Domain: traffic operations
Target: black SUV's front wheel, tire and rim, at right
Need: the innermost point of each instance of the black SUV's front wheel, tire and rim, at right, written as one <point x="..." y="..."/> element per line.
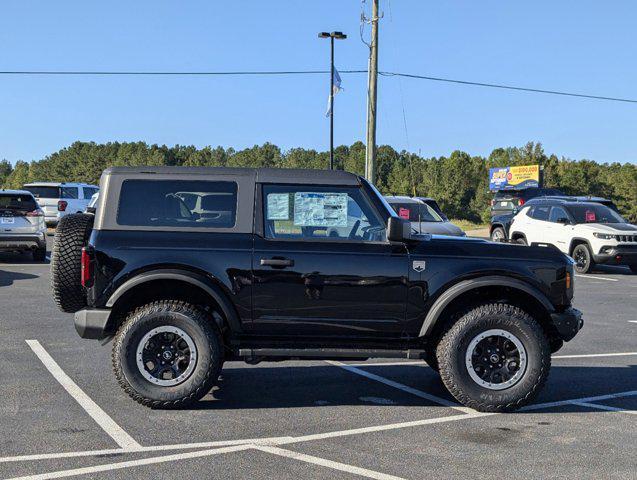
<point x="495" y="358"/>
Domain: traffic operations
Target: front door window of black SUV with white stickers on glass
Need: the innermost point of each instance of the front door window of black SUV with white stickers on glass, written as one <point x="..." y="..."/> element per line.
<point x="319" y="213"/>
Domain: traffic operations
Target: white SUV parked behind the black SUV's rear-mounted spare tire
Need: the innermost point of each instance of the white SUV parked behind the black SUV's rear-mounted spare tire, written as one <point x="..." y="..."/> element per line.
<point x="58" y="199"/>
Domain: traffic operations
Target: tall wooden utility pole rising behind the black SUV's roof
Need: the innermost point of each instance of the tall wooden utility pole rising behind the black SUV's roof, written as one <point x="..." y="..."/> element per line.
<point x="370" y="154"/>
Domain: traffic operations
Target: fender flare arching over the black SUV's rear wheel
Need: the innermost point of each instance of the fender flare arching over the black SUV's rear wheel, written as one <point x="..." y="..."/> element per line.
<point x="192" y="278"/>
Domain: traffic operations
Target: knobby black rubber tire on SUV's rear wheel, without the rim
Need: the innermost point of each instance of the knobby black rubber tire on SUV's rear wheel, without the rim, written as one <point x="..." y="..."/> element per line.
<point x="202" y="330"/>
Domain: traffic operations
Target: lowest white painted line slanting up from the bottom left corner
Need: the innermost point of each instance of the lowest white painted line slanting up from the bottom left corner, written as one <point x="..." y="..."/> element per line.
<point x="131" y="463"/>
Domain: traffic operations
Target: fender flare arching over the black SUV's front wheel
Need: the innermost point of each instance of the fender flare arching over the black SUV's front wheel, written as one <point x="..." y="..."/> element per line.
<point x="464" y="286"/>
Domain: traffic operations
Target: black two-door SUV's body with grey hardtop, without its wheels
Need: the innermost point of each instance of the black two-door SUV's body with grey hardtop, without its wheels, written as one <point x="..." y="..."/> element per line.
<point x="350" y="284"/>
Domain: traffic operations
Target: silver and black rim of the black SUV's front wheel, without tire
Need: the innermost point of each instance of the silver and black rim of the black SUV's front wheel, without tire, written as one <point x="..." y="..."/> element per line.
<point x="496" y="359"/>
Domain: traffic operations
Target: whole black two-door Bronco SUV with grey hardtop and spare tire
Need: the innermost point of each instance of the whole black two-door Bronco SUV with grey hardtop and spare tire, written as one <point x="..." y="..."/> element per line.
<point x="190" y="267"/>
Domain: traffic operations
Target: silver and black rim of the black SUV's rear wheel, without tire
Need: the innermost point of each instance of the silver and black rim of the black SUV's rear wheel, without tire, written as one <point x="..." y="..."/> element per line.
<point x="166" y="356"/>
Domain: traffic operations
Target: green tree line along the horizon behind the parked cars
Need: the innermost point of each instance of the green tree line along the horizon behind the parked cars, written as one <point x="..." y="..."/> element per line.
<point x="458" y="181"/>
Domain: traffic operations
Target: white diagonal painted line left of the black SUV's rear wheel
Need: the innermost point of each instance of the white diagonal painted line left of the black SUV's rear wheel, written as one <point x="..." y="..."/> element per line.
<point x="107" y="424"/>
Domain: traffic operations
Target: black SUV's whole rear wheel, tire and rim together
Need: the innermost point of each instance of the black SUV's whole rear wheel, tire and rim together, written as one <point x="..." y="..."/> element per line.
<point x="167" y="354"/>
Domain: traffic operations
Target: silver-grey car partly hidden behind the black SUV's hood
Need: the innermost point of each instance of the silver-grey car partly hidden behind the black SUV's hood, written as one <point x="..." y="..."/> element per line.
<point x="423" y="217"/>
